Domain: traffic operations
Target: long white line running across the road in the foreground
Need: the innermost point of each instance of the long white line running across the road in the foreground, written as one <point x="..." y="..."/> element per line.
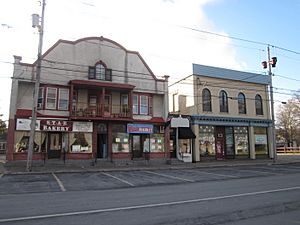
<point x="154" y="205"/>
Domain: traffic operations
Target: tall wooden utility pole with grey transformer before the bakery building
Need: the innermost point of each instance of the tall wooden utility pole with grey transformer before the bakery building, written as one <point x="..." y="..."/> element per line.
<point x="40" y="26"/>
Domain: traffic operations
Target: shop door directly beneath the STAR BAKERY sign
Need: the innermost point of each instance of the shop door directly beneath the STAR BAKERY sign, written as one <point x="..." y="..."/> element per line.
<point x="54" y="145"/>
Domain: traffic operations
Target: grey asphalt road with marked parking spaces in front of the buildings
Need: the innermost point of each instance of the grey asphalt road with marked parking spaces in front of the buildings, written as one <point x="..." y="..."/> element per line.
<point x="239" y="195"/>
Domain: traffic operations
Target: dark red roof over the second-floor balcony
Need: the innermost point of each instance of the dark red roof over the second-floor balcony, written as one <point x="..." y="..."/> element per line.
<point x="95" y="83"/>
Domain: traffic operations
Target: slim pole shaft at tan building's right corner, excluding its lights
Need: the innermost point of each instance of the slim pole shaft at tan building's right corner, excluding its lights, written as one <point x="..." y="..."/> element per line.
<point x="272" y="108"/>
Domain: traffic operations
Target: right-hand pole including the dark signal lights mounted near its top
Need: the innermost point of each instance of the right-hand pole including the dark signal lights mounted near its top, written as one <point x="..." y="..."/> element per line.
<point x="271" y="63"/>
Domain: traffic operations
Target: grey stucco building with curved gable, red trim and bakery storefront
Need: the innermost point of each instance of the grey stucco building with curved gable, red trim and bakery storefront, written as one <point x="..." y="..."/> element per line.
<point x="97" y="100"/>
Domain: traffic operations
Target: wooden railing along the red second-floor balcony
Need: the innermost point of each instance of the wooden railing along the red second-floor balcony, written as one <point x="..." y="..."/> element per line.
<point x="101" y="110"/>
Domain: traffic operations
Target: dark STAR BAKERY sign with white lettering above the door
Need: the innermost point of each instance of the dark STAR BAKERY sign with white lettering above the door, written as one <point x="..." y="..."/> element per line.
<point x="56" y="125"/>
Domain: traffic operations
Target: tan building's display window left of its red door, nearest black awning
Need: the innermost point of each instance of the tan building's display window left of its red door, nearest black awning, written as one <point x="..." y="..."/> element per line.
<point x="207" y="140"/>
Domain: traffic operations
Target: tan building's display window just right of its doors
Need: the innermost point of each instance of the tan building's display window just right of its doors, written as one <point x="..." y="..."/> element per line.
<point x="241" y="141"/>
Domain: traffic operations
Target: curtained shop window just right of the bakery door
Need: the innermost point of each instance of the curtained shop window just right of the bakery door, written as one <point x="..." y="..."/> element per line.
<point x="80" y="142"/>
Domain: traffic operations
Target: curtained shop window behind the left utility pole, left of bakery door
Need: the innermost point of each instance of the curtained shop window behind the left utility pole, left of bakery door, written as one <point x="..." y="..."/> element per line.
<point x="22" y="141"/>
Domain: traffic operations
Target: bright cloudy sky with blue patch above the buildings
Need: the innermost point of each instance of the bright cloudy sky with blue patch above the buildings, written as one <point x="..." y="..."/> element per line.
<point x="169" y="34"/>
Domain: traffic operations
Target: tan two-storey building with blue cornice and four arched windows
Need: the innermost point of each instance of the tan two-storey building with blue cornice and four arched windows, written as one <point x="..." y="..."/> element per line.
<point x="229" y="111"/>
